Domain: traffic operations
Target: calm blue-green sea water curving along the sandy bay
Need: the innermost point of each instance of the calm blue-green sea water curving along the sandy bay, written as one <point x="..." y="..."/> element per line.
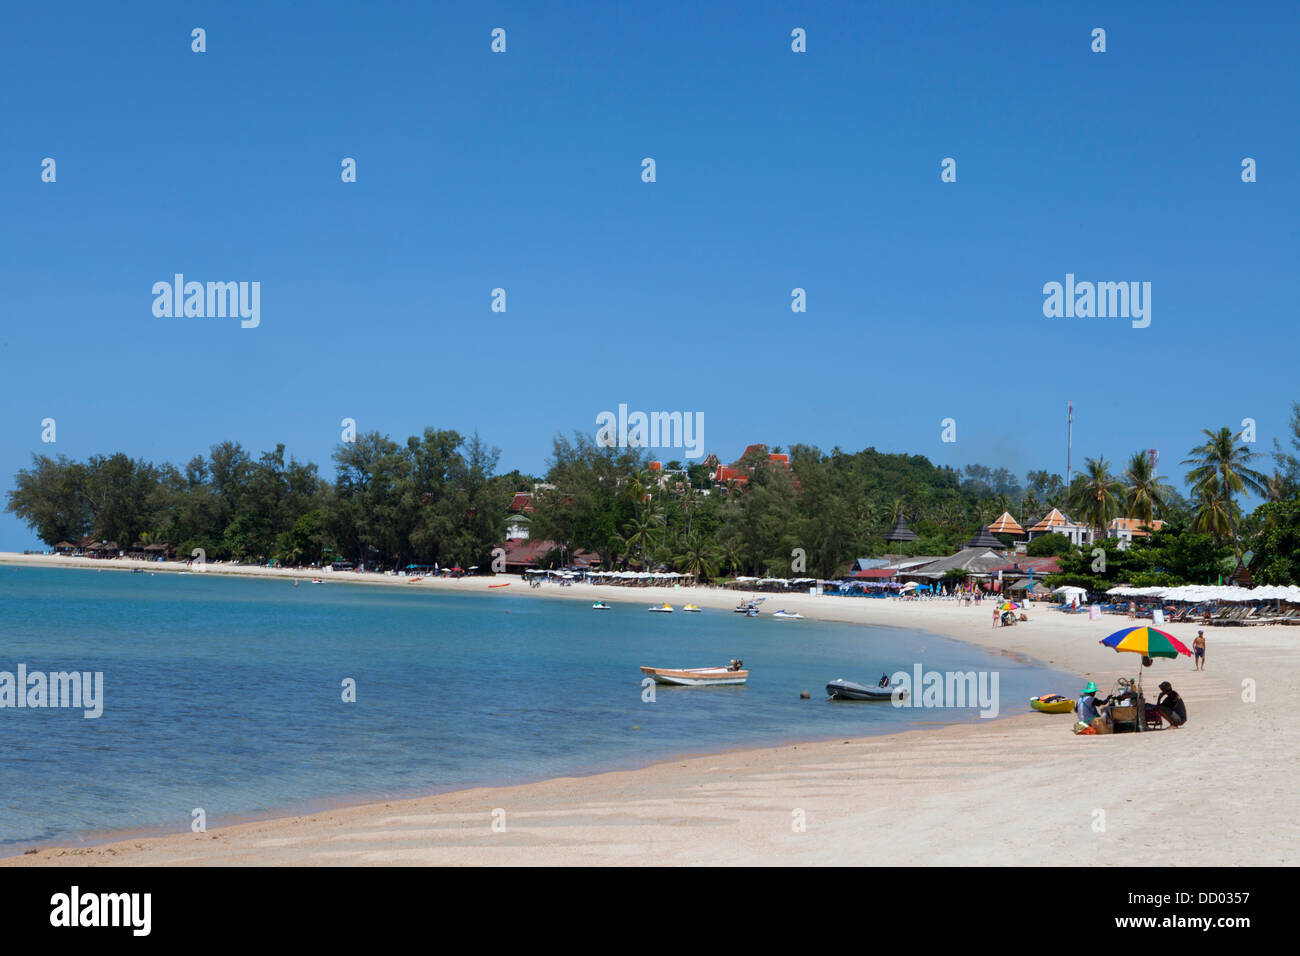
<point x="226" y="694"/>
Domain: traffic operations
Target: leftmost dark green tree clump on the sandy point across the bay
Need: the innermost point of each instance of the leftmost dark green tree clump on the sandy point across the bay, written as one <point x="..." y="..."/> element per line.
<point x="436" y="499"/>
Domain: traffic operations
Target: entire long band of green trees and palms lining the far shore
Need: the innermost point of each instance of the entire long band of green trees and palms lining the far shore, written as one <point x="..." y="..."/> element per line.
<point x="439" y="499"/>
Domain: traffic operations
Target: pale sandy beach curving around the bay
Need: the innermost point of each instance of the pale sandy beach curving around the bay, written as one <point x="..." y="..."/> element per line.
<point x="1016" y="791"/>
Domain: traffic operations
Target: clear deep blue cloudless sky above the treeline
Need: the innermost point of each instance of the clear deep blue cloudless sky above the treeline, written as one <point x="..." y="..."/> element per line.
<point x="523" y="171"/>
